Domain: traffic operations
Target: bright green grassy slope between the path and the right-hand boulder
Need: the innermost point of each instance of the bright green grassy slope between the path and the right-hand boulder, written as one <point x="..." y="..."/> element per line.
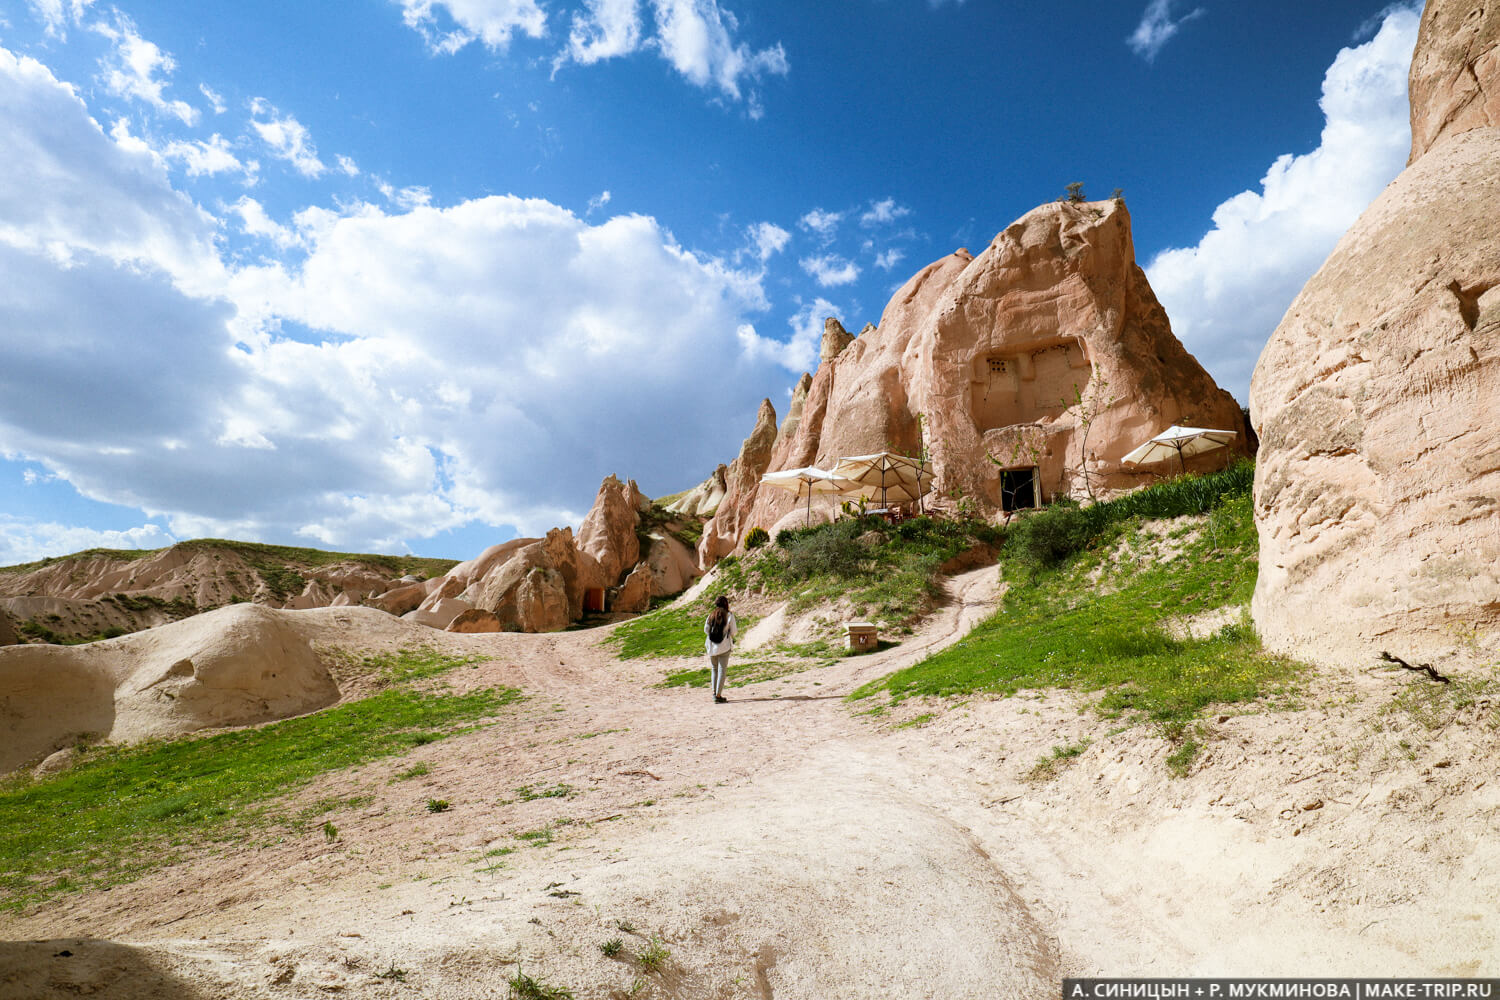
<point x="1097" y="624"/>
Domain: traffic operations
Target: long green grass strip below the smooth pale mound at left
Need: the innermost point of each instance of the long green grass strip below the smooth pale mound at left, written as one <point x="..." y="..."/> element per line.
<point x="125" y="812"/>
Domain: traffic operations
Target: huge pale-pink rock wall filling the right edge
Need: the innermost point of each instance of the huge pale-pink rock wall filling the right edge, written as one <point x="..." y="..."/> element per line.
<point x="1378" y="400"/>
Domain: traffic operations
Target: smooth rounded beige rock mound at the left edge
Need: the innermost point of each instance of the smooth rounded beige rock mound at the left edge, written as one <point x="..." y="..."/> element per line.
<point x="236" y="666"/>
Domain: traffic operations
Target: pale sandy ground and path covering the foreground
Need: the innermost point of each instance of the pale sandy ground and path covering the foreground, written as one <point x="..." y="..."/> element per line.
<point x="787" y="845"/>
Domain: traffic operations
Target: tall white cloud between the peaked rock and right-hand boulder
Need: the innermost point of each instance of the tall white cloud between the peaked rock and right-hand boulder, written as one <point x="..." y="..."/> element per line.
<point x="1226" y="295"/>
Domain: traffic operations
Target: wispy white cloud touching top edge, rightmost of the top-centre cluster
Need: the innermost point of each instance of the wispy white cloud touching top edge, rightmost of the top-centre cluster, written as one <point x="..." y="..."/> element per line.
<point x="697" y="37"/>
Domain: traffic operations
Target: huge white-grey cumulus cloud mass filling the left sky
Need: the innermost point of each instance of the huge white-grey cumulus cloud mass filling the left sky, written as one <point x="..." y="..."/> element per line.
<point x="398" y="376"/>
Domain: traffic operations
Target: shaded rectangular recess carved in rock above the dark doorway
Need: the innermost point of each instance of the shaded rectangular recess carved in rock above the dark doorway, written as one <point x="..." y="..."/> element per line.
<point x="1027" y="386"/>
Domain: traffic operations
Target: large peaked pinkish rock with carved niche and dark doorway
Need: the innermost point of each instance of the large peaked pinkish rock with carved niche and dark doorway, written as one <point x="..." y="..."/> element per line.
<point x="1046" y="353"/>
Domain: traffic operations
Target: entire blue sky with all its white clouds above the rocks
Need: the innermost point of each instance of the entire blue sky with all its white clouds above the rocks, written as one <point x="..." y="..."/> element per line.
<point x="416" y="275"/>
